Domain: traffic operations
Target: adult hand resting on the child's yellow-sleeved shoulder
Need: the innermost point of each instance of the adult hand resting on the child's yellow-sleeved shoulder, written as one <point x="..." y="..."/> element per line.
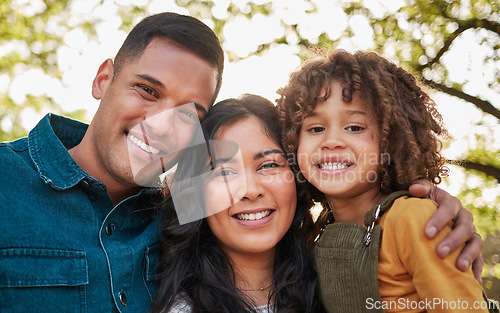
<point x="451" y="209"/>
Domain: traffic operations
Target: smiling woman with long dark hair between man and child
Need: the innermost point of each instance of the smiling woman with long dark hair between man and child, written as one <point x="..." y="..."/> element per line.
<point x="253" y="255"/>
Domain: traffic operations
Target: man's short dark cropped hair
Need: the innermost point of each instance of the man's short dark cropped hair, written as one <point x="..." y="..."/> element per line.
<point x="184" y="31"/>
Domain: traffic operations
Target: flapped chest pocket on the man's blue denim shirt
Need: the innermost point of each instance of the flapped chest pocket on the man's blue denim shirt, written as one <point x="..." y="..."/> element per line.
<point x="42" y="280"/>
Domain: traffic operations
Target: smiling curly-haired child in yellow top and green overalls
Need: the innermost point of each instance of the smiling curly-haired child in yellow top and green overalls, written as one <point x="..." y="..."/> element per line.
<point x="363" y="131"/>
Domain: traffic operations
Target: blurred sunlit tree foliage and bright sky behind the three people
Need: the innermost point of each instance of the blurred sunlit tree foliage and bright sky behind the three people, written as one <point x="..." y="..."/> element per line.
<point x="430" y="38"/>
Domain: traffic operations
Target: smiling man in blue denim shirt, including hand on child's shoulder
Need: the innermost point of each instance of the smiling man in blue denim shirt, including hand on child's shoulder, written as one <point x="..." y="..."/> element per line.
<point x="78" y="233"/>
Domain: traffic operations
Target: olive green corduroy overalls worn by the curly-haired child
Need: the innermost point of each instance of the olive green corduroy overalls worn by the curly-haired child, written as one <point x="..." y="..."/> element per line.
<point x="346" y="257"/>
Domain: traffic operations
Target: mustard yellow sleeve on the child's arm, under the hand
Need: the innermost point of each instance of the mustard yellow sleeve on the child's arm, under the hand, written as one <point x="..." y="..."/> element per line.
<point x="437" y="281"/>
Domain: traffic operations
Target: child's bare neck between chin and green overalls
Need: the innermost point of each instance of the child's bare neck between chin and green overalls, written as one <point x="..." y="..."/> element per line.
<point x="353" y="209"/>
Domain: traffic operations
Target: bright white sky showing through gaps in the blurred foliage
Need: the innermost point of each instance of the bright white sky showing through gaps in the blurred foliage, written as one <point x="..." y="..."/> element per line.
<point x="79" y="58"/>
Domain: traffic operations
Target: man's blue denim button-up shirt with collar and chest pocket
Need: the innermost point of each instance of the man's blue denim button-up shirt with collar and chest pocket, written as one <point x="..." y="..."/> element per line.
<point x="64" y="247"/>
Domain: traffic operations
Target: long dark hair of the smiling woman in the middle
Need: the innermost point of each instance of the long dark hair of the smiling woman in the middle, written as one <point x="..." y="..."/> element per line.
<point x="193" y="264"/>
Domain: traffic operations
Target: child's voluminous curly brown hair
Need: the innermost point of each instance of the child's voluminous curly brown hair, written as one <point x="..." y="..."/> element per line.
<point x="407" y="119"/>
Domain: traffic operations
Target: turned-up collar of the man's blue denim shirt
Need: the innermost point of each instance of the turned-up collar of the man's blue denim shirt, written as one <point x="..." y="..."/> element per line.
<point x="48" y="145"/>
